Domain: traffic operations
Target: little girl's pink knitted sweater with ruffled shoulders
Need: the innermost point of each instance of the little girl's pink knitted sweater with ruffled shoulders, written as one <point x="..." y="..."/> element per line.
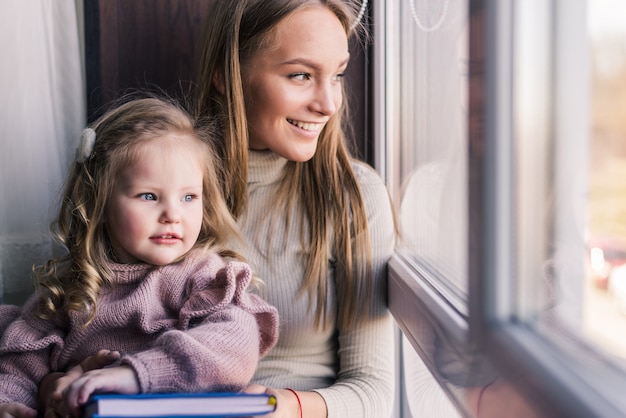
<point x="187" y="327"/>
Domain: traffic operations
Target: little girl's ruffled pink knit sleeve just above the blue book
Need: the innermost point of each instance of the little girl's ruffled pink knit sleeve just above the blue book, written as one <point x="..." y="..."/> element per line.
<point x="223" y="332"/>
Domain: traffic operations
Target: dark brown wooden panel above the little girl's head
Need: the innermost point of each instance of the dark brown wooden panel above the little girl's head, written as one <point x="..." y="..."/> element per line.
<point x="148" y="44"/>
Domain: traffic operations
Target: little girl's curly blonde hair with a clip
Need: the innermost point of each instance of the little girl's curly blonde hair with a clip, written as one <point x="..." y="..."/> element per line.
<point x="72" y="282"/>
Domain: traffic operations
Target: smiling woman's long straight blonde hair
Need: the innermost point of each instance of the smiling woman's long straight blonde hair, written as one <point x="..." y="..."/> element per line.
<point x="325" y="187"/>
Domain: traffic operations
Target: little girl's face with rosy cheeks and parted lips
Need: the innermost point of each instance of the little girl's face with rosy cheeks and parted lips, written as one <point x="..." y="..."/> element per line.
<point x="155" y="211"/>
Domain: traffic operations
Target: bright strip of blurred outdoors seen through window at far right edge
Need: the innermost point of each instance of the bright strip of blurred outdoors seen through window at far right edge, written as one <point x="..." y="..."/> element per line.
<point x="605" y="291"/>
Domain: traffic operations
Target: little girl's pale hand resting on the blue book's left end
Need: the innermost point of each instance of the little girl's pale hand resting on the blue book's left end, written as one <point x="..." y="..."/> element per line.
<point x="120" y="379"/>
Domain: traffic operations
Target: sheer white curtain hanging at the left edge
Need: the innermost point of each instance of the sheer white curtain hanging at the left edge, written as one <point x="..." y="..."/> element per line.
<point x="42" y="111"/>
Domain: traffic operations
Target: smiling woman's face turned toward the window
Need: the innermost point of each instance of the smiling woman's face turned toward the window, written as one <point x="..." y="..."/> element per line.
<point x="293" y="87"/>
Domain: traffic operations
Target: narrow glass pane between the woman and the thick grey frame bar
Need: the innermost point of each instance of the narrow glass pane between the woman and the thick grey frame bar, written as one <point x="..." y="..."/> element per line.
<point x="432" y="154"/>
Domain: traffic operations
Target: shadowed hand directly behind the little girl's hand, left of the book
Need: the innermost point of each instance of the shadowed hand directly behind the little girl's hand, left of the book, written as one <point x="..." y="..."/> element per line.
<point x="52" y="386"/>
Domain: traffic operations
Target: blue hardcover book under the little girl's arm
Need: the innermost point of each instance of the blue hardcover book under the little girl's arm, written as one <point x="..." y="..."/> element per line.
<point x="179" y="405"/>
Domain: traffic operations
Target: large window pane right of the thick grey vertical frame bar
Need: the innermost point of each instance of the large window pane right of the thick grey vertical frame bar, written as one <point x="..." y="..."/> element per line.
<point x="570" y="153"/>
